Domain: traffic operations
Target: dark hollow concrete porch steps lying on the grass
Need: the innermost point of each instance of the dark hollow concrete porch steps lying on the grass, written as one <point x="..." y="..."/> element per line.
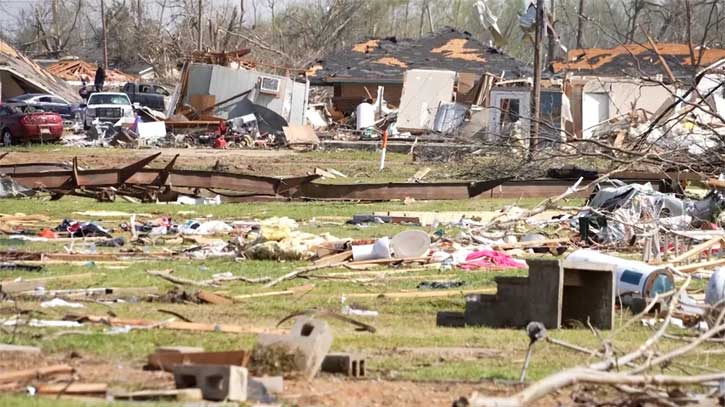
<point x="551" y="293"/>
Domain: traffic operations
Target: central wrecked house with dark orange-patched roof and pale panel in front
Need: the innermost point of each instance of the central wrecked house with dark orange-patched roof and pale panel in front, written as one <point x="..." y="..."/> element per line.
<point x="433" y="80"/>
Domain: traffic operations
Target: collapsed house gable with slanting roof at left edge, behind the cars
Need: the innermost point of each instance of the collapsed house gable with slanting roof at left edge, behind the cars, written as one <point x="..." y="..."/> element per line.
<point x="20" y="75"/>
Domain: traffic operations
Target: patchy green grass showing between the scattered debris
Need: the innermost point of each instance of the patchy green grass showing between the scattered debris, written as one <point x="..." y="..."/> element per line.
<point x="403" y="325"/>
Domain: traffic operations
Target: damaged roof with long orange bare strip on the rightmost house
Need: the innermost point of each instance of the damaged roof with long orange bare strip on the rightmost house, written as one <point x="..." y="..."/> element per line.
<point x="634" y="60"/>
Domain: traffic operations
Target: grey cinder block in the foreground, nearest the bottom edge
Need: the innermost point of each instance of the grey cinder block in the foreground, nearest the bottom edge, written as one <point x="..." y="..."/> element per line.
<point x="217" y="383"/>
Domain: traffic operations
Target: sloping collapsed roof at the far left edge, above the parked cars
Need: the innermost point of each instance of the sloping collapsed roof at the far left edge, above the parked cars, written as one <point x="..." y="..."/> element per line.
<point x="31" y="75"/>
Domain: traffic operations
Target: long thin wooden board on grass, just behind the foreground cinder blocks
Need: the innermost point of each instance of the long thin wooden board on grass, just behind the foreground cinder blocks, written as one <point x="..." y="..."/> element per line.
<point x="174" y="325"/>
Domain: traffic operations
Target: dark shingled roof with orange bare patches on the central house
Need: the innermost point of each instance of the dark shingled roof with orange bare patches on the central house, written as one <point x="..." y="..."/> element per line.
<point x="384" y="60"/>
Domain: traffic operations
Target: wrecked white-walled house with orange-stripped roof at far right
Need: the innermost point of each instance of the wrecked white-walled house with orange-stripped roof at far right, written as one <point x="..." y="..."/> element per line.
<point x="604" y="84"/>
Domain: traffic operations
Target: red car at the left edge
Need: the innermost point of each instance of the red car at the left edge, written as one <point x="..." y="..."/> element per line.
<point x="20" y="123"/>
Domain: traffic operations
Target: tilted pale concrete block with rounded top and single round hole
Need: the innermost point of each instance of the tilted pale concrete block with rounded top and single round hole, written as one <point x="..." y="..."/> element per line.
<point x="300" y="352"/>
